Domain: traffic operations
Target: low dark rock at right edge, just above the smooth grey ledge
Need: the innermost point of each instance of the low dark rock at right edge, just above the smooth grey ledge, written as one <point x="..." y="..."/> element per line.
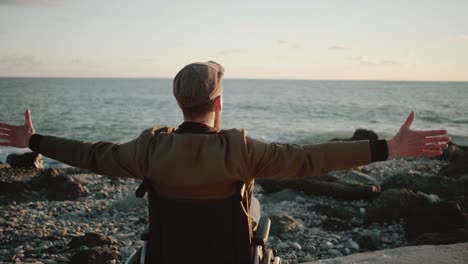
<point x="441" y="238"/>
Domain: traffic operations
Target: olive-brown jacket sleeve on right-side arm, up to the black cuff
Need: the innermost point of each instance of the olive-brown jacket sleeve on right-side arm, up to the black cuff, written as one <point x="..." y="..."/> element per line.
<point x="275" y="161"/>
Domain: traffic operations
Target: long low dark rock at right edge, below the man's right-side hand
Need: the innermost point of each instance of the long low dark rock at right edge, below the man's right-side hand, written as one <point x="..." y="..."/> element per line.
<point x="441" y="186"/>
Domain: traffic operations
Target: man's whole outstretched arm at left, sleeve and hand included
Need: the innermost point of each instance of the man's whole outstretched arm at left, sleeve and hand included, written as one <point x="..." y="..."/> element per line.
<point x="101" y="157"/>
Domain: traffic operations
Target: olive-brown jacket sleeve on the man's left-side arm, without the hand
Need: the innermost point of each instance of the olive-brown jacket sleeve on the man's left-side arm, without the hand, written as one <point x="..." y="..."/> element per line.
<point x="122" y="160"/>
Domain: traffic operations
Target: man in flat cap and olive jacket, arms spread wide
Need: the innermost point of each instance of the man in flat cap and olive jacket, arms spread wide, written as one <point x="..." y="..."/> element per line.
<point x="198" y="160"/>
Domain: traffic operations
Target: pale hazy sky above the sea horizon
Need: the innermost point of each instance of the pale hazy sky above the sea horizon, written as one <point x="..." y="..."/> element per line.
<point x="350" y="40"/>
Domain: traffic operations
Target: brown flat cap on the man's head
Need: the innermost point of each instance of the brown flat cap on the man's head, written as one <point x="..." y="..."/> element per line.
<point x="198" y="84"/>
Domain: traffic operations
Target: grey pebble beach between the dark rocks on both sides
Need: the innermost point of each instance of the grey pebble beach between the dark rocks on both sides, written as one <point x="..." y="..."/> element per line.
<point x="34" y="229"/>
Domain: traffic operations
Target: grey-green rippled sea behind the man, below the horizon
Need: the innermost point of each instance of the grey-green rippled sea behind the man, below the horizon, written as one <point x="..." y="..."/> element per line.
<point x="288" y="111"/>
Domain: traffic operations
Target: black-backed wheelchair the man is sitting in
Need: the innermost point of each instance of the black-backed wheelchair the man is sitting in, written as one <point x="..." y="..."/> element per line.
<point x="202" y="231"/>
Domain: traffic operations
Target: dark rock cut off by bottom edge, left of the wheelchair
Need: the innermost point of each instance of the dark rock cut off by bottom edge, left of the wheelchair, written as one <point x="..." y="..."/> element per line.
<point x="95" y="256"/>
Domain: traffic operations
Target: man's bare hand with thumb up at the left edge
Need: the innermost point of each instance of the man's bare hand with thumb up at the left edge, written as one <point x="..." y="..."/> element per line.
<point x="17" y="136"/>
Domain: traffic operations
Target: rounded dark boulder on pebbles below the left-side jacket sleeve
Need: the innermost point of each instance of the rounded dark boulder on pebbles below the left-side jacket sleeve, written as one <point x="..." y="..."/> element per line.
<point x="65" y="188"/>
